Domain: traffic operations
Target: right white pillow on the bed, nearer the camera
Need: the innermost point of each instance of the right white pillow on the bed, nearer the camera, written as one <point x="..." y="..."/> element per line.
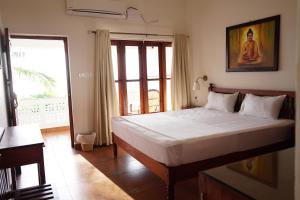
<point x="264" y="107"/>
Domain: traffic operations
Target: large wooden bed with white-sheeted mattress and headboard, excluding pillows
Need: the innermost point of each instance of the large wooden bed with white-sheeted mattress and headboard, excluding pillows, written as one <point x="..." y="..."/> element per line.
<point x="177" y="145"/>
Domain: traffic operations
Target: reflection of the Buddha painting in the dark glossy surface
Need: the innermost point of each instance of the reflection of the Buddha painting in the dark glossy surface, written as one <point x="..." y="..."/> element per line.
<point x="261" y="168"/>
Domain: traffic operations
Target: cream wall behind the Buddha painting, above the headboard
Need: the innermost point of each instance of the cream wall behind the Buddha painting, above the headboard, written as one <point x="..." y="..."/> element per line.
<point x="207" y="21"/>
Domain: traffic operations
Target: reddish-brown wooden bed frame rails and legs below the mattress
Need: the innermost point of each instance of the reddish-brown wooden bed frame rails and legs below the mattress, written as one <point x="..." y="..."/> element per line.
<point x="172" y="175"/>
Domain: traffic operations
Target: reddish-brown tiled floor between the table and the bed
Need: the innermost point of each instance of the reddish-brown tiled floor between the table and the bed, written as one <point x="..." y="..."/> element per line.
<point x="91" y="175"/>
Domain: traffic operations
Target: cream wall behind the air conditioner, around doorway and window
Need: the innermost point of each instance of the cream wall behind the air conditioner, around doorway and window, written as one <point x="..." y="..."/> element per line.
<point x="48" y="17"/>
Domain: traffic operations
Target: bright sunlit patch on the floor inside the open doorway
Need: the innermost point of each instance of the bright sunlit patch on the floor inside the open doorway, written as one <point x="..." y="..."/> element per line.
<point x="72" y="176"/>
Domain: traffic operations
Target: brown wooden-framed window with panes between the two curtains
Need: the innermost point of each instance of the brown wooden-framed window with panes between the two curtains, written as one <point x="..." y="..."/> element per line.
<point x="142" y="72"/>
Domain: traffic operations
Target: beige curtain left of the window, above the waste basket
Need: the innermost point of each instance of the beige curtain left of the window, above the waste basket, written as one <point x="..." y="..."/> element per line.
<point x="106" y="103"/>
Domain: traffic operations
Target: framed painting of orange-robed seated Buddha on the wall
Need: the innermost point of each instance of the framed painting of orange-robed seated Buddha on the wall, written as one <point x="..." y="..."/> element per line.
<point x="253" y="46"/>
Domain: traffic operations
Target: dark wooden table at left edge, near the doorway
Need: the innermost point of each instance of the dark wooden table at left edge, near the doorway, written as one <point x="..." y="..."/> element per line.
<point x="22" y="145"/>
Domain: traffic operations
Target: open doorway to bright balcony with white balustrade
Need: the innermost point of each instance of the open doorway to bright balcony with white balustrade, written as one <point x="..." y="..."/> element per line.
<point x="41" y="82"/>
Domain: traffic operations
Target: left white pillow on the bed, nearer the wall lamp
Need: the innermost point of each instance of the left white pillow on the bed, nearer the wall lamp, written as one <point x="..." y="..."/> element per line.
<point x="222" y="102"/>
